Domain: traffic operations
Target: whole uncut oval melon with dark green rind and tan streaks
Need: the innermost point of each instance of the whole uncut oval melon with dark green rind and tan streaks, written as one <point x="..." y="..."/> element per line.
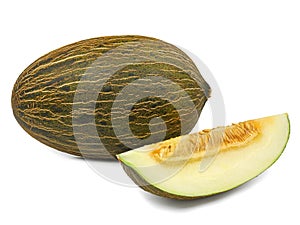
<point x="44" y="95"/>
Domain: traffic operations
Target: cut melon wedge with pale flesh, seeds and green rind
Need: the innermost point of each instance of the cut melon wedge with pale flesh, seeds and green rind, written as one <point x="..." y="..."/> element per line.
<point x="208" y="162"/>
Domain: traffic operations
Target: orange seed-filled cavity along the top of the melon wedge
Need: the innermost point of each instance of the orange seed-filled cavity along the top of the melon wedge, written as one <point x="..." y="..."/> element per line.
<point x="204" y="143"/>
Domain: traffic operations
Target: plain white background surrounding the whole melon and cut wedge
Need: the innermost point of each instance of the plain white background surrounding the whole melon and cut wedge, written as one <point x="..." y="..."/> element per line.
<point x="251" y="47"/>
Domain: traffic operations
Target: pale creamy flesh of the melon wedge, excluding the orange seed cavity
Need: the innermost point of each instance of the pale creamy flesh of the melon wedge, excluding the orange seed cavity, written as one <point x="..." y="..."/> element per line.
<point x="228" y="169"/>
